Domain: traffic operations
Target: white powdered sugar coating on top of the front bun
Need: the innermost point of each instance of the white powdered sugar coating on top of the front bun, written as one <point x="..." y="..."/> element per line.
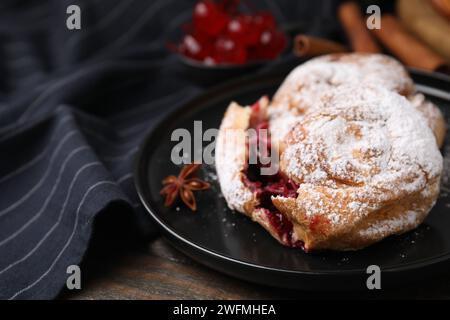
<point x="365" y="146"/>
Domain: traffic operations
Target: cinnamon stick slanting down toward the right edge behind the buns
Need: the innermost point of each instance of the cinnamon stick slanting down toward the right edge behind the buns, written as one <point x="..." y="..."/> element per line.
<point x="406" y="47"/>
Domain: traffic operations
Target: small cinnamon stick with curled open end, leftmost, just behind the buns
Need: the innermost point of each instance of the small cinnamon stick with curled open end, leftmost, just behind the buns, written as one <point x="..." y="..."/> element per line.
<point x="307" y="46"/>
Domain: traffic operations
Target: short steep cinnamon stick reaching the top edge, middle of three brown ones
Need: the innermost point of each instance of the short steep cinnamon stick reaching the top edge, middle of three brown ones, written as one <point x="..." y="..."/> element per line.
<point x="352" y="20"/>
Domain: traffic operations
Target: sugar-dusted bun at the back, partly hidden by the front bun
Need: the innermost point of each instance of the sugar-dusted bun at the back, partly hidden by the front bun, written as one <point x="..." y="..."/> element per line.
<point x="299" y="92"/>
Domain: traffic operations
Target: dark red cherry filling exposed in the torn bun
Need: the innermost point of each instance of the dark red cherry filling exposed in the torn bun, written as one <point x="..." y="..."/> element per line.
<point x="266" y="186"/>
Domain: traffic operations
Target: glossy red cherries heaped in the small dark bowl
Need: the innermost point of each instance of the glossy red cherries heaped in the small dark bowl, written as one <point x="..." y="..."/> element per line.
<point x="220" y="34"/>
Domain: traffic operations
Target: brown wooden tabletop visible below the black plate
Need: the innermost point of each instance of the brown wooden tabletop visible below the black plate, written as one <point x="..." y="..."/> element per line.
<point x="155" y="270"/>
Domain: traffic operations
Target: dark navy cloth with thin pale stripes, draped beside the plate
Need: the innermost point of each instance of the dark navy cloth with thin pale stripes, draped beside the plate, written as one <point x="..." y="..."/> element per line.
<point x="74" y="106"/>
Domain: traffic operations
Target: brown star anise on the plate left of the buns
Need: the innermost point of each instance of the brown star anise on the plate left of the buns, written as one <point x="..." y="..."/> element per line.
<point x="184" y="186"/>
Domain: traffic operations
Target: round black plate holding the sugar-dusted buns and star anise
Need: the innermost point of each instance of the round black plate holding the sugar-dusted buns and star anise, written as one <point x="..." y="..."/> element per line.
<point x="231" y="243"/>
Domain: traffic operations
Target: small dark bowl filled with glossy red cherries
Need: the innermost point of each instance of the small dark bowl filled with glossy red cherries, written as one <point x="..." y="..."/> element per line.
<point x="226" y="38"/>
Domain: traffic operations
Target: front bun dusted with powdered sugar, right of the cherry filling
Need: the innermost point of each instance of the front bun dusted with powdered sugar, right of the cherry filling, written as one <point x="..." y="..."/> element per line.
<point x="368" y="167"/>
